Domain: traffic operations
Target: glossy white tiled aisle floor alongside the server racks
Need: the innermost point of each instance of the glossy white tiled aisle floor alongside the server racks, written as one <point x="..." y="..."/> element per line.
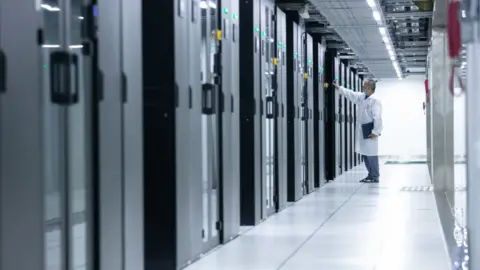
<point x="345" y="225"/>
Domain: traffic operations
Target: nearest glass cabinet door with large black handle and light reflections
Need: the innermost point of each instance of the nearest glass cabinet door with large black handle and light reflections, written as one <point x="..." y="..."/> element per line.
<point x="68" y="133"/>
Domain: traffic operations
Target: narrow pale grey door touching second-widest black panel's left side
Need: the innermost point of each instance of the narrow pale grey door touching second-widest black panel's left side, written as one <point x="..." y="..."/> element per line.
<point x="230" y="119"/>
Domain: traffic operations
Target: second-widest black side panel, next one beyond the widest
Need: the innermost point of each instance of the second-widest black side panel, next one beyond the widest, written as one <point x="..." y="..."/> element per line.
<point x="250" y="213"/>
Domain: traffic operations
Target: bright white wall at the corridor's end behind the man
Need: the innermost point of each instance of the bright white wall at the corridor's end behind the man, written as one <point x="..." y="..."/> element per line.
<point x="404" y="120"/>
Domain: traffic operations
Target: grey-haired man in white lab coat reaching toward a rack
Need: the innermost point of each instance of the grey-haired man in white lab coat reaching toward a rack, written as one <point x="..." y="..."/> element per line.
<point x="369" y="109"/>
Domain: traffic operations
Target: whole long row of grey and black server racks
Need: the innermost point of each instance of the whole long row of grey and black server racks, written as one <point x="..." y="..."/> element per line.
<point x="151" y="131"/>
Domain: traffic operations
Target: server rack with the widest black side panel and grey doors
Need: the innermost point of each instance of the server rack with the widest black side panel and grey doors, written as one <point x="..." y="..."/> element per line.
<point x="190" y="121"/>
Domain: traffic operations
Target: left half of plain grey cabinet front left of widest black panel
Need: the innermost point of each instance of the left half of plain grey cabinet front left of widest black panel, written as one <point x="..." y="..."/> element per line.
<point x="110" y="133"/>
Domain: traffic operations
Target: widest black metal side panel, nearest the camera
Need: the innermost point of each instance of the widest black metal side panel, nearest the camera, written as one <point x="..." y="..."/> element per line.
<point x="160" y="226"/>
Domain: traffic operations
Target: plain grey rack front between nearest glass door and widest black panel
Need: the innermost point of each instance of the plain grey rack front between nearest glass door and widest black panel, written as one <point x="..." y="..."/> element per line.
<point x="117" y="65"/>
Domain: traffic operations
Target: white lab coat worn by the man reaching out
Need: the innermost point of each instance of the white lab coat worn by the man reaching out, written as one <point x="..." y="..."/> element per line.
<point x="368" y="110"/>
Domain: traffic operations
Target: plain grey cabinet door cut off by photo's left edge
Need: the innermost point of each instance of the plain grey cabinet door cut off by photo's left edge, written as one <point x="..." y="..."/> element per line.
<point x="25" y="234"/>
